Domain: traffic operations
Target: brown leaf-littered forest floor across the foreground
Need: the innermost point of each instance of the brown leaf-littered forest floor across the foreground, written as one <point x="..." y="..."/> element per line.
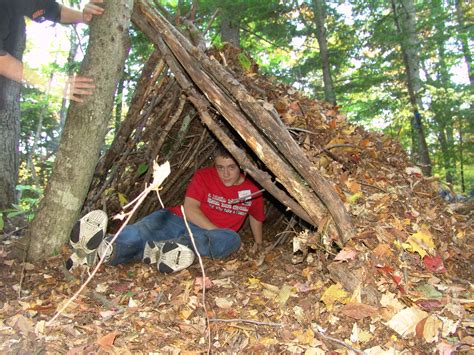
<point x="261" y="304"/>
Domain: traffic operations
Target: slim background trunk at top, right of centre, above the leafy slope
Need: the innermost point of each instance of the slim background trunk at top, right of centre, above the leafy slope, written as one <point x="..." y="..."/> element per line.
<point x="319" y="8"/>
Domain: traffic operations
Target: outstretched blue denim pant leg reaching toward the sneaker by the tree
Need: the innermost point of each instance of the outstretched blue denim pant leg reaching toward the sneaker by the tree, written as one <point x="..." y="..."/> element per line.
<point x="157" y="226"/>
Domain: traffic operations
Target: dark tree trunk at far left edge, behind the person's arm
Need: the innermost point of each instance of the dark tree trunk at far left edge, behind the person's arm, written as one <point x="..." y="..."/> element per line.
<point x="10" y="121"/>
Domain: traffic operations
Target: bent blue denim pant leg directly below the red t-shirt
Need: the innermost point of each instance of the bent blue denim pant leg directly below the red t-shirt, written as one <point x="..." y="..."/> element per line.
<point x="215" y="243"/>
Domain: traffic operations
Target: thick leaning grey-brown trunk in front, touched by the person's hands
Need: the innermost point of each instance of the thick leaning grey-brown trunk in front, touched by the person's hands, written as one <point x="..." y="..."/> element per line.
<point x="84" y="131"/>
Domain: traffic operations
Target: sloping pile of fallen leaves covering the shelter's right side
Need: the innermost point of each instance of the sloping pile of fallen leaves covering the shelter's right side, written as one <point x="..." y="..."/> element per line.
<point x="412" y="250"/>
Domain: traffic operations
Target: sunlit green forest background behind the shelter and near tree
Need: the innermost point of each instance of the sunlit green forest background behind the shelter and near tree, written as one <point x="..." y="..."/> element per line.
<point x="403" y="68"/>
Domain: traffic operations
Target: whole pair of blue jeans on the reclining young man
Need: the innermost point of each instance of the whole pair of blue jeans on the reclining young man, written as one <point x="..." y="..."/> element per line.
<point x="164" y="225"/>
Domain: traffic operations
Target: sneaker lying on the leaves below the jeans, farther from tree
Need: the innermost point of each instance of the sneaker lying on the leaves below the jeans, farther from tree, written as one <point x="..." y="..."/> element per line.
<point x="168" y="256"/>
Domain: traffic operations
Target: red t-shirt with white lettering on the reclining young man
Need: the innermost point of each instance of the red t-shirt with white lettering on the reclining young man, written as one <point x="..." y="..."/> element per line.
<point x="225" y="206"/>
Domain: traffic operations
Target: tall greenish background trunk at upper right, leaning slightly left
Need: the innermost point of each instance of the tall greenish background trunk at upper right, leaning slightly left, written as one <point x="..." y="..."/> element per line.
<point x="405" y="19"/>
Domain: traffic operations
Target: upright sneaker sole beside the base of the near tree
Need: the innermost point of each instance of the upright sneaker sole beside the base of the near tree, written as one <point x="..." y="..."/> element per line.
<point x="86" y="236"/>
